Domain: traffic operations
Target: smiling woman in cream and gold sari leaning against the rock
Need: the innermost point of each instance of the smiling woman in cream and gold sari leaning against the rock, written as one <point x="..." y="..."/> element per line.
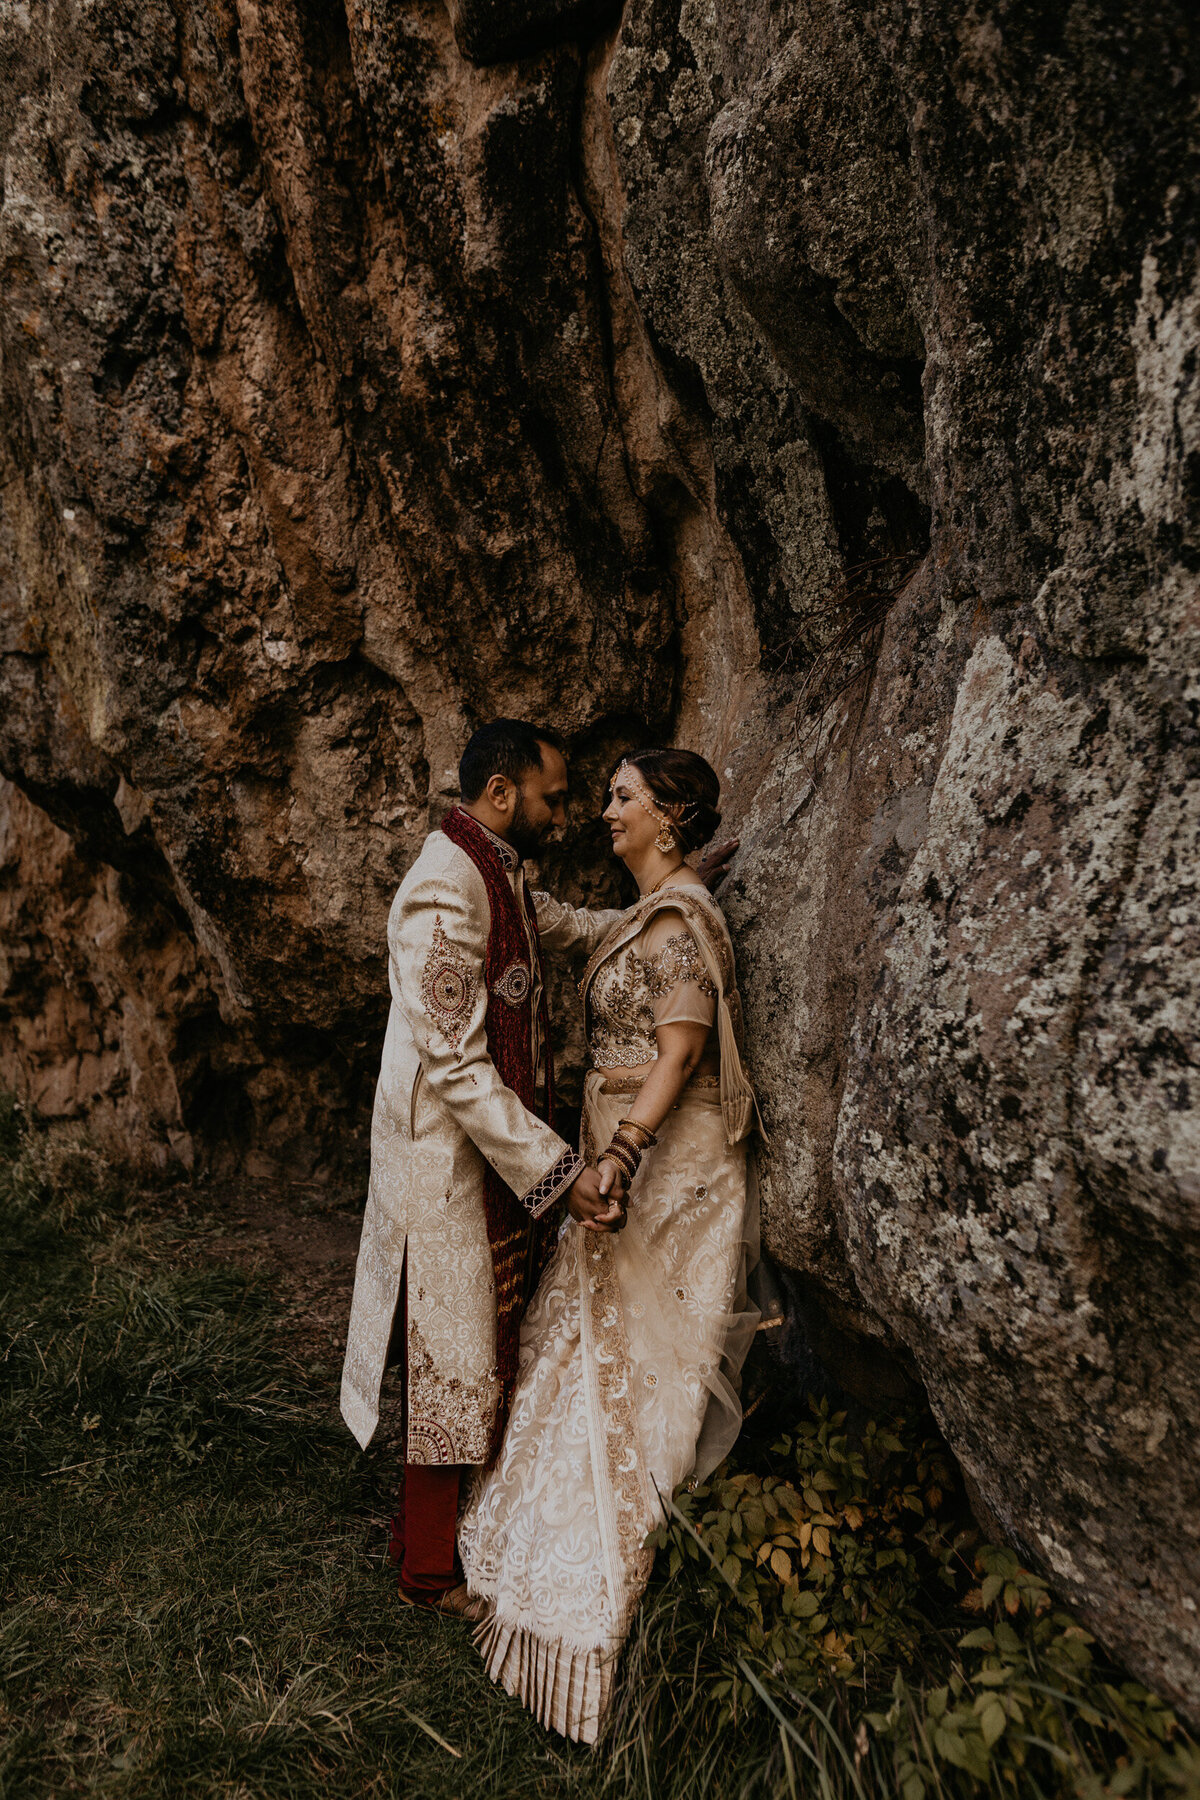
<point x="632" y="1344"/>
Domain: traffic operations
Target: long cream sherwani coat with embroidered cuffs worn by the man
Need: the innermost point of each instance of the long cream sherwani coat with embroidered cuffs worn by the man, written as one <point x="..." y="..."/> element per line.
<point x="440" y="1110"/>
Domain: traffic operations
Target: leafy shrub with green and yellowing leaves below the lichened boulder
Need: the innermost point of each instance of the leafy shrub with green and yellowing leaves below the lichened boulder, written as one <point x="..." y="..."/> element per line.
<point x="837" y="1588"/>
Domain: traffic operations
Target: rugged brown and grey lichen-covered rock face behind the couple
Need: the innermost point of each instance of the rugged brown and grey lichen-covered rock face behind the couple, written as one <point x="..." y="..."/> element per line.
<point x="812" y="382"/>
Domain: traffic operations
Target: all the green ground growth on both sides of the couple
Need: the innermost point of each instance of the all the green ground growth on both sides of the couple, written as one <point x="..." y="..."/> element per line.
<point x="197" y="1599"/>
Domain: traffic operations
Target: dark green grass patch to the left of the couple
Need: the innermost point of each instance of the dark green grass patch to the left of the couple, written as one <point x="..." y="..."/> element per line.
<point x="195" y="1592"/>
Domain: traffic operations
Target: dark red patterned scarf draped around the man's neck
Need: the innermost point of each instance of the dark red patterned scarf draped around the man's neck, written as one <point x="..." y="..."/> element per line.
<point x="512" y="1232"/>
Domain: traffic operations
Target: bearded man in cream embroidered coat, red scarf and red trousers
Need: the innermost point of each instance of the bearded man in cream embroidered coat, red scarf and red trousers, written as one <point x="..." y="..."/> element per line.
<point x="465" y="1160"/>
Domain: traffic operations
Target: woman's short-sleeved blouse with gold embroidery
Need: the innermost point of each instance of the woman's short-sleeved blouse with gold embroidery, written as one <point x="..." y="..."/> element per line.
<point x="656" y="978"/>
